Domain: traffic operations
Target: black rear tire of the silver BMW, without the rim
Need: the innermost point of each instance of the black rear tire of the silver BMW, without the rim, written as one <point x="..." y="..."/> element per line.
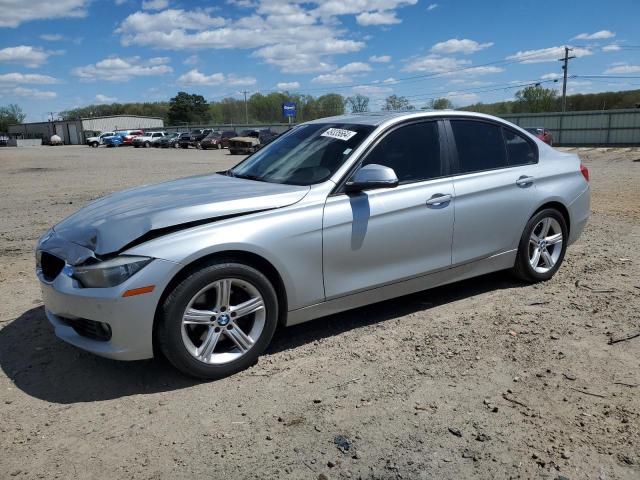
<point x="523" y="268"/>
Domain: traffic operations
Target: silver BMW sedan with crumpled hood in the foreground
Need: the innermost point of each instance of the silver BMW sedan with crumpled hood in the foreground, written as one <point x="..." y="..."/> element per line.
<point x="334" y="214"/>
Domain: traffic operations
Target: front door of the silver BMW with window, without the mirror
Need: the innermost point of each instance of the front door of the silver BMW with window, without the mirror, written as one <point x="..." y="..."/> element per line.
<point x="385" y="235"/>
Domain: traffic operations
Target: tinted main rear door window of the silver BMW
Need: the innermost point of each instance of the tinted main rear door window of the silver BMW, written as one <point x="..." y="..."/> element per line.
<point x="480" y="146"/>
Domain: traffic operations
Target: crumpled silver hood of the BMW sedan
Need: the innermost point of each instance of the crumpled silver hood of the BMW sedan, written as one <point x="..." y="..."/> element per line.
<point x="109" y="224"/>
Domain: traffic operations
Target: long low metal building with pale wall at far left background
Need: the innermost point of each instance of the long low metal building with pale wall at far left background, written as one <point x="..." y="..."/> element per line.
<point x="72" y="132"/>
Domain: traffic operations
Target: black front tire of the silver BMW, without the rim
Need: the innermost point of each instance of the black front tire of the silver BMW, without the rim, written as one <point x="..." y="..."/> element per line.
<point x="169" y="330"/>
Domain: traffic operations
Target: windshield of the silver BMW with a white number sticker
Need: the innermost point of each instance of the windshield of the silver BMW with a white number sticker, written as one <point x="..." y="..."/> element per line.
<point x="306" y="155"/>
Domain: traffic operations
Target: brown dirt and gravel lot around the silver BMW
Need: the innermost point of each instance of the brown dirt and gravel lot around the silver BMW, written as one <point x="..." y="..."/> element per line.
<point x="488" y="378"/>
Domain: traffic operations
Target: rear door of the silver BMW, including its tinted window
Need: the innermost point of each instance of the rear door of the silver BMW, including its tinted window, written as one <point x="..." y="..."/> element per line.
<point x="494" y="181"/>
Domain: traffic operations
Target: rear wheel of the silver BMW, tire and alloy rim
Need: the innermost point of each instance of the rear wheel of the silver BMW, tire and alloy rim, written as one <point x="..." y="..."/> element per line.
<point x="542" y="246"/>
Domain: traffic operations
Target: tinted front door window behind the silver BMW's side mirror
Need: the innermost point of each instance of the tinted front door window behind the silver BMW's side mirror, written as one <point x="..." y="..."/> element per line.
<point x="413" y="152"/>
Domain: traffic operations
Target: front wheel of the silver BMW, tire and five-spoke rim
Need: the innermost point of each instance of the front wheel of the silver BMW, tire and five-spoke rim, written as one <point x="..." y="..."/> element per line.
<point x="218" y="320"/>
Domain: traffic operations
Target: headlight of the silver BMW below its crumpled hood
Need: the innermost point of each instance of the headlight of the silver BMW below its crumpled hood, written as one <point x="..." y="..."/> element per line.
<point x="110" y="272"/>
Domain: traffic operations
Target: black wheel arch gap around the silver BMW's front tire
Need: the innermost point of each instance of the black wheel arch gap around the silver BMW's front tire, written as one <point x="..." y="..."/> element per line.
<point x="249" y="258"/>
